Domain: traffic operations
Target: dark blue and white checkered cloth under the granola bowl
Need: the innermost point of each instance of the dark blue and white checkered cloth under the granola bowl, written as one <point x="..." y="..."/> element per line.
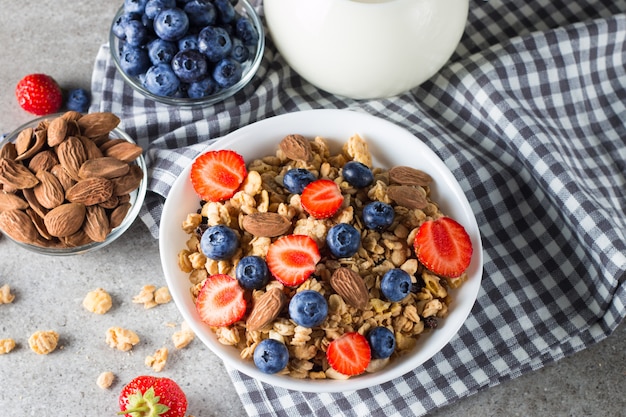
<point x="530" y="117"/>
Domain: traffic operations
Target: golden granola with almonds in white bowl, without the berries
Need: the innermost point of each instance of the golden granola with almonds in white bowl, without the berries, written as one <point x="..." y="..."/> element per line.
<point x="262" y="191"/>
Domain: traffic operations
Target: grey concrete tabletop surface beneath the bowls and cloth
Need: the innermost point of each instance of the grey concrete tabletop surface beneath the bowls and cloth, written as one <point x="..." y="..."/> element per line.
<point x="61" y="38"/>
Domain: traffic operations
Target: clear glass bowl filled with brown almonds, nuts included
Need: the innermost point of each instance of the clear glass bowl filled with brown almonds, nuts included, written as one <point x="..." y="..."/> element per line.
<point x="70" y="183"/>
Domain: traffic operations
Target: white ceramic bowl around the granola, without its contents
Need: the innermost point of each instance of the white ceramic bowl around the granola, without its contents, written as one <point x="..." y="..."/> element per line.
<point x="390" y="145"/>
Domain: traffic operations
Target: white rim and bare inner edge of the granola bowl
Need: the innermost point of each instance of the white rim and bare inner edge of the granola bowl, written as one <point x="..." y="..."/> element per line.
<point x="325" y="119"/>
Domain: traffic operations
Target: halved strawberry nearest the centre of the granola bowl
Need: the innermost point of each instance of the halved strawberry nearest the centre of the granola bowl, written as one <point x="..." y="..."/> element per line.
<point x="292" y="259"/>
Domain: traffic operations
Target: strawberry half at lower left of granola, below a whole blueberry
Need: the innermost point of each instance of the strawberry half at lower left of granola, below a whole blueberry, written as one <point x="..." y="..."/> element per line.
<point x="221" y="301"/>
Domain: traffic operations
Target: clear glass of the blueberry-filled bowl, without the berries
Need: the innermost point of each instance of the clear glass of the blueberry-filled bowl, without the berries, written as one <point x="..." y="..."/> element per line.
<point x="250" y="67"/>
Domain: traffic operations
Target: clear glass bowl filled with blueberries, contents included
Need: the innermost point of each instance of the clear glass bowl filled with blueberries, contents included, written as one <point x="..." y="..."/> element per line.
<point x="187" y="53"/>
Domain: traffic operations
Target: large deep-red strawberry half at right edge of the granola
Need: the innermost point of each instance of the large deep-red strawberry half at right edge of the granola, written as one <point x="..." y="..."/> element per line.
<point x="443" y="246"/>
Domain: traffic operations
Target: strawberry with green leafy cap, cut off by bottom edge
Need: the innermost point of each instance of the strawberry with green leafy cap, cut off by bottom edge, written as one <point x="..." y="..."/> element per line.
<point x="149" y="396"/>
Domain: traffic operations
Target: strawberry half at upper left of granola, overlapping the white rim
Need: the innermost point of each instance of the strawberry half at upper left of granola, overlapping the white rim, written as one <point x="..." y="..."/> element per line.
<point x="217" y="175"/>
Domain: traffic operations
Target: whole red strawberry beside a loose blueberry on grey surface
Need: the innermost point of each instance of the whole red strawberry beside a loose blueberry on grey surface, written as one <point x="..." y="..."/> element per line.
<point x="39" y="94"/>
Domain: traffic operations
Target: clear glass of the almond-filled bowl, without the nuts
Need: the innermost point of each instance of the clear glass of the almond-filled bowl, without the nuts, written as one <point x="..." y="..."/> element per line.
<point x="136" y="199"/>
